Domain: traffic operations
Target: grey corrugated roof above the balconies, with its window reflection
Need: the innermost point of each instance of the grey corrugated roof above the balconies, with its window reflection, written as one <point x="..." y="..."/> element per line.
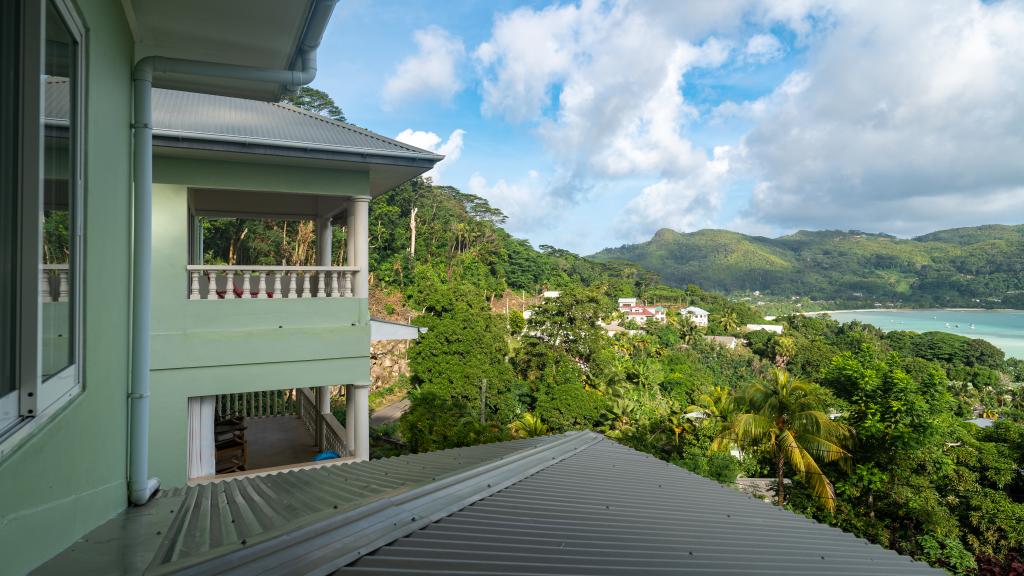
<point x="192" y="115"/>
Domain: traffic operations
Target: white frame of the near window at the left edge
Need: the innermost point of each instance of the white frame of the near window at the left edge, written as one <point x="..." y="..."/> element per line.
<point x="39" y="399"/>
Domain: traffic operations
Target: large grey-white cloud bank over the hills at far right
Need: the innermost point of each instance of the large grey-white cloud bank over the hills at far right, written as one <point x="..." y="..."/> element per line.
<point x="905" y="120"/>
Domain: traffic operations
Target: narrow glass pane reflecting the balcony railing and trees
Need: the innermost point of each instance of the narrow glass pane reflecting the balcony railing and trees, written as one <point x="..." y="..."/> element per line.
<point x="58" y="211"/>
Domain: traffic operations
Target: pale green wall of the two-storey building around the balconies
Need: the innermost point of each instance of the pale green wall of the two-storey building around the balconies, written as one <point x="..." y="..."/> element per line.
<point x="206" y="348"/>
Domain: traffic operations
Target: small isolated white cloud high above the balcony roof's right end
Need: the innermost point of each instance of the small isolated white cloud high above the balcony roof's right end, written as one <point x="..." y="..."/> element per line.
<point x="432" y="72"/>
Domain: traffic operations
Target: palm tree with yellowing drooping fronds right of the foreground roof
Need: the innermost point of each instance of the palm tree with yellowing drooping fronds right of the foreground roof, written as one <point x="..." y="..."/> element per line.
<point x="785" y="415"/>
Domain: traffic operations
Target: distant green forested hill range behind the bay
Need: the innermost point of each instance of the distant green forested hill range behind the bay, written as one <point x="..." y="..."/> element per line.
<point x="983" y="266"/>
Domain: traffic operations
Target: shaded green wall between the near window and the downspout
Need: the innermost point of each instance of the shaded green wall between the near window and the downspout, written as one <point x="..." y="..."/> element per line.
<point x="70" y="476"/>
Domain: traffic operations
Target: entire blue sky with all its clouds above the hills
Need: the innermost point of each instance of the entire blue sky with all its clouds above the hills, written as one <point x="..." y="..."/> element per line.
<point x="595" y="124"/>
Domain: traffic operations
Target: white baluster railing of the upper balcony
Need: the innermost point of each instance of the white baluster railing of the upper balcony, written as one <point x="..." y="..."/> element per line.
<point x="230" y="282"/>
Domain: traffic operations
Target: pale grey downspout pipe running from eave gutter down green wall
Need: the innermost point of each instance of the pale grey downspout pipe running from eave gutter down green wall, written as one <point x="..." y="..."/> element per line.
<point x="141" y="486"/>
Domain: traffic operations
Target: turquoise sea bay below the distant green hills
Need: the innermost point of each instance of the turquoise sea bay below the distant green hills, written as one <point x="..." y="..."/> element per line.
<point x="1003" y="328"/>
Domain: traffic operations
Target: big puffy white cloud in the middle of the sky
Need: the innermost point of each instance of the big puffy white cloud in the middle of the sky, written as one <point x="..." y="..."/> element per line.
<point x="603" y="85"/>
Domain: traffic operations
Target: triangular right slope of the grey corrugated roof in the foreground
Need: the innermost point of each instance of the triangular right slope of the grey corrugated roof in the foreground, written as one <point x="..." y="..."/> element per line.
<point x="610" y="511"/>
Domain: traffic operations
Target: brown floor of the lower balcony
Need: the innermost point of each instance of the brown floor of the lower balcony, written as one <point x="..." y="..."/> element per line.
<point x="278" y="441"/>
